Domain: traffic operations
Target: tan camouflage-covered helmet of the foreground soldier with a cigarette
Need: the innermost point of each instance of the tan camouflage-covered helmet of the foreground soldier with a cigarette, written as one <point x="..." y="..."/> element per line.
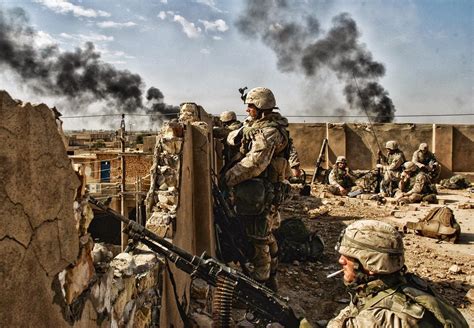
<point x="376" y="245"/>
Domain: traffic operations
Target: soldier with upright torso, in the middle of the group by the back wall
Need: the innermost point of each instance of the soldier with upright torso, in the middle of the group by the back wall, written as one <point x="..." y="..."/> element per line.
<point x="392" y="167"/>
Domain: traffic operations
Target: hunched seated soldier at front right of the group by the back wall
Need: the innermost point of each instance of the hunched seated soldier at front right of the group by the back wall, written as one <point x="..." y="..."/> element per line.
<point x="415" y="186"/>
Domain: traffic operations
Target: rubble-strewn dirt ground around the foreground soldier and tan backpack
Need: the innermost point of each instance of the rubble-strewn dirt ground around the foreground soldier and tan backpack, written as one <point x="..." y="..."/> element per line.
<point x="448" y="267"/>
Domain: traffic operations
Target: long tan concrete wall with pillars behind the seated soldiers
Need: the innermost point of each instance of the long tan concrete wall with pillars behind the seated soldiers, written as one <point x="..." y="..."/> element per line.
<point x="453" y="145"/>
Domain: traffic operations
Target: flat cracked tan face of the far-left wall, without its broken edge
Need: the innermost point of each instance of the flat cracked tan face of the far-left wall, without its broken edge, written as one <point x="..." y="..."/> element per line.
<point x="38" y="236"/>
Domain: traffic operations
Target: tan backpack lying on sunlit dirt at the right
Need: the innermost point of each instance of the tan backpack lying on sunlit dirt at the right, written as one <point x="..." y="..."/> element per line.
<point x="439" y="223"/>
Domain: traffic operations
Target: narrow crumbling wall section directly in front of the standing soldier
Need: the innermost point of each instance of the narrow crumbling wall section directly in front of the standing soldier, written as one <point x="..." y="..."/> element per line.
<point x="178" y="203"/>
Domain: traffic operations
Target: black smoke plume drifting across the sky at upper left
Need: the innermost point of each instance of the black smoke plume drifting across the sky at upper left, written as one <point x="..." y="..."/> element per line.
<point x="78" y="75"/>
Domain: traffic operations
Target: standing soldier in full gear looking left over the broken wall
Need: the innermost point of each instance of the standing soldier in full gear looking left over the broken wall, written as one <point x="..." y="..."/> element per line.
<point x="257" y="181"/>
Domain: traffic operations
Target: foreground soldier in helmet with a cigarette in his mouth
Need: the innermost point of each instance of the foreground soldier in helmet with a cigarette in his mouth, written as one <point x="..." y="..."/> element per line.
<point x="383" y="293"/>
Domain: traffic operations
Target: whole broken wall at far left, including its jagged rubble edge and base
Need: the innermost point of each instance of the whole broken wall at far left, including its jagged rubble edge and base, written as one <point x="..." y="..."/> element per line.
<point x="53" y="273"/>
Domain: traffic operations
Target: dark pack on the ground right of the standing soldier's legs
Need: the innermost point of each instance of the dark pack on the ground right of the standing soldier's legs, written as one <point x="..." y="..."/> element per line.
<point x="296" y="242"/>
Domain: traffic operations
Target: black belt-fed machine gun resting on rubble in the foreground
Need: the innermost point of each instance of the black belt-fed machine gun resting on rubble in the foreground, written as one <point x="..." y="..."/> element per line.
<point x="230" y="284"/>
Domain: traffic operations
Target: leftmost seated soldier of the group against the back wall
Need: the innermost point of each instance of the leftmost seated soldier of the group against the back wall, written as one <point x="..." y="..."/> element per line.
<point x="341" y="178"/>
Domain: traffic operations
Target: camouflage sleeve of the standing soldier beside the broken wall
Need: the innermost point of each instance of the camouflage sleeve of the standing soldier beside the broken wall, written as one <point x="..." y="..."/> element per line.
<point x="257" y="159"/>
